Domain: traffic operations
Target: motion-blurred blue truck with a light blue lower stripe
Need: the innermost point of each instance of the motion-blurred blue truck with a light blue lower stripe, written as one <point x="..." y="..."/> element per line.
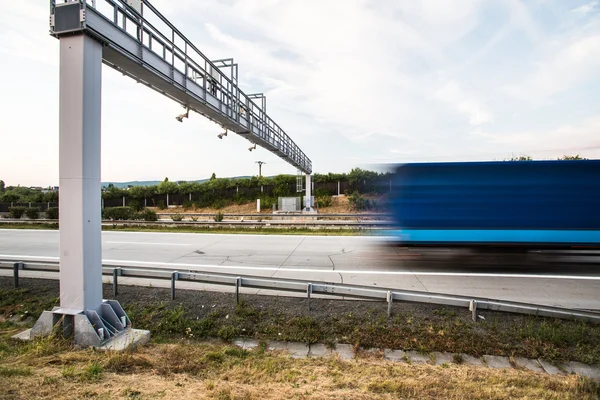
<point x="531" y="204"/>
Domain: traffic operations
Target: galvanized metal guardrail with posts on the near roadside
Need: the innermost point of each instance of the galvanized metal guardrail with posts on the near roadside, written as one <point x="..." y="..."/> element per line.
<point x="311" y="288"/>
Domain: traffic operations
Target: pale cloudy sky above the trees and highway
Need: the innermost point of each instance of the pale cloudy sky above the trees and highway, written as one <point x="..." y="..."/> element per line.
<point x="355" y="83"/>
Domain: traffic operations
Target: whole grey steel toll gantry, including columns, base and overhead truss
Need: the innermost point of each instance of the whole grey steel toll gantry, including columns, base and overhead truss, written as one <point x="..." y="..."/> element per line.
<point x="132" y="37"/>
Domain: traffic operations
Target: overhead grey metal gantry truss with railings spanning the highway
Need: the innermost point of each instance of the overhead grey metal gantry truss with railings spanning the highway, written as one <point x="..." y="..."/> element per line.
<point x="142" y="44"/>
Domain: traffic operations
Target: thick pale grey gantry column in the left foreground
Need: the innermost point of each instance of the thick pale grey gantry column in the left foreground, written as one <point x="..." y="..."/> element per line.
<point x="79" y="173"/>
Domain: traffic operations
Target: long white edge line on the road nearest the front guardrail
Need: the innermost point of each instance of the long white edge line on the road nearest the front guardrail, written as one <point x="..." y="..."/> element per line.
<point x="125" y="263"/>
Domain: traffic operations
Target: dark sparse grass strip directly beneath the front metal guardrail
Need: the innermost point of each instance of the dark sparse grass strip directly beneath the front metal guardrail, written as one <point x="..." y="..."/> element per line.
<point x="198" y="315"/>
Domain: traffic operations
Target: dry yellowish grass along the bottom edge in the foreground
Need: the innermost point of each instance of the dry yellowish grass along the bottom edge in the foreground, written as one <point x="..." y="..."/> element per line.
<point x="216" y="371"/>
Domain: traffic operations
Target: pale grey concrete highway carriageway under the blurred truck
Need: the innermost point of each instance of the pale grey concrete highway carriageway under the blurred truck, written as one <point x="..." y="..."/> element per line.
<point x="563" y="280"/>
